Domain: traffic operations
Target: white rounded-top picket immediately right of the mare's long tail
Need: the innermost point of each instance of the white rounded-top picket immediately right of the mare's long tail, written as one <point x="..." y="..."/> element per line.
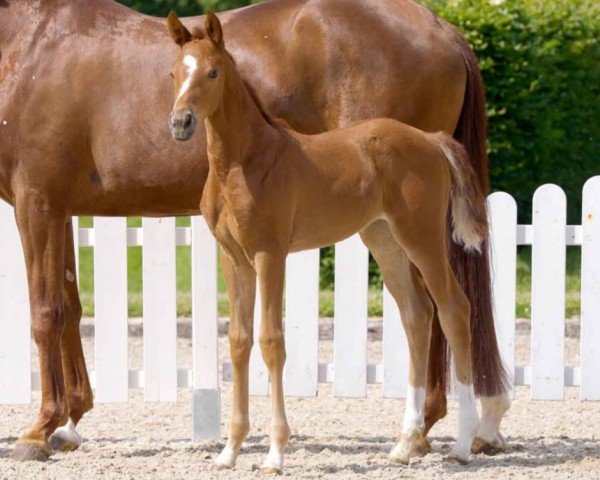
<point x="503" y="258"/>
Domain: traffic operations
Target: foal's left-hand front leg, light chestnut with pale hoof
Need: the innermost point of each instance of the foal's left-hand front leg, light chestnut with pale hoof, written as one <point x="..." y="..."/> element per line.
<point x="241" y="288"/>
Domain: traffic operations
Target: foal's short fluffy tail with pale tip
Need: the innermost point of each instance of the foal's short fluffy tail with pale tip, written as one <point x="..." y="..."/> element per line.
<point x="469" y="213"/>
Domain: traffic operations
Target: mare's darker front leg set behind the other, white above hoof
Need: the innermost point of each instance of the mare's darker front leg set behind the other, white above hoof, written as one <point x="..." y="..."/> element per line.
<point x="79" y="391"/>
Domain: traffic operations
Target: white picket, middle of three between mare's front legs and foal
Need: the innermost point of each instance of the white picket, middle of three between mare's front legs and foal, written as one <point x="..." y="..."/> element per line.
<point x="160" y="310"/>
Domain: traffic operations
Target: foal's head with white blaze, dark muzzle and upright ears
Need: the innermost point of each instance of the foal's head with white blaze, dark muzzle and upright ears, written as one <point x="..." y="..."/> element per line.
<point x="198" y="73"/>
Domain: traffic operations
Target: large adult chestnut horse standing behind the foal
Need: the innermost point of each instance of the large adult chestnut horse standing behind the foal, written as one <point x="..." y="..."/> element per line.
<point x="84" y="93"/>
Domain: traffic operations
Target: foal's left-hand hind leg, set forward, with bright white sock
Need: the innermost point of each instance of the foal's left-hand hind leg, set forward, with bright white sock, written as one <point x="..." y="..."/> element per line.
<point x="416" y="309"/>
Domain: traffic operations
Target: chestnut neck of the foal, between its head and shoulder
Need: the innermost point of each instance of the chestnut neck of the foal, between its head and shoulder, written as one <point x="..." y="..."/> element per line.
<point x="236" y="131"/>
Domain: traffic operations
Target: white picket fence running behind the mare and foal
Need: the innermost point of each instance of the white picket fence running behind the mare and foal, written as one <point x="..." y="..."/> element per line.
<point x="547" y="375"/>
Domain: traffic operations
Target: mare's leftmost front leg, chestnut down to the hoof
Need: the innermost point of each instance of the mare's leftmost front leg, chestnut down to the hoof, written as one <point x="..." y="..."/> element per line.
<point x="42" y="229"/>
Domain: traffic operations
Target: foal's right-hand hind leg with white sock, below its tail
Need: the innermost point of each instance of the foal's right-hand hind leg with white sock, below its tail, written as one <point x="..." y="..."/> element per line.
<point x="425" y="245"/>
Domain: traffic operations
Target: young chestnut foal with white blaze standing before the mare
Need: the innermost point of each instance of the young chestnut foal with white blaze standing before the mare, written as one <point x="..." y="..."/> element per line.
<point x="271" y="191"/>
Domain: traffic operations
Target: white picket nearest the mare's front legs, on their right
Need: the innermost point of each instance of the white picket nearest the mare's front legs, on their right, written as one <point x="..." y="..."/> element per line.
<point x="110" y="301"/>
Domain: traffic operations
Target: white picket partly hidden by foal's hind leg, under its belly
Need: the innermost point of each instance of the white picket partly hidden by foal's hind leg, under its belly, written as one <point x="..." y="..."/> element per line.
<point x="395" y="350"/>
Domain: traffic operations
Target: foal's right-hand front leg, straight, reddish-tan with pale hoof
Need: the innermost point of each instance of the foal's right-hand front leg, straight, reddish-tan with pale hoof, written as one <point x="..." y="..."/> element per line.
<point x="270" y="268"/>
